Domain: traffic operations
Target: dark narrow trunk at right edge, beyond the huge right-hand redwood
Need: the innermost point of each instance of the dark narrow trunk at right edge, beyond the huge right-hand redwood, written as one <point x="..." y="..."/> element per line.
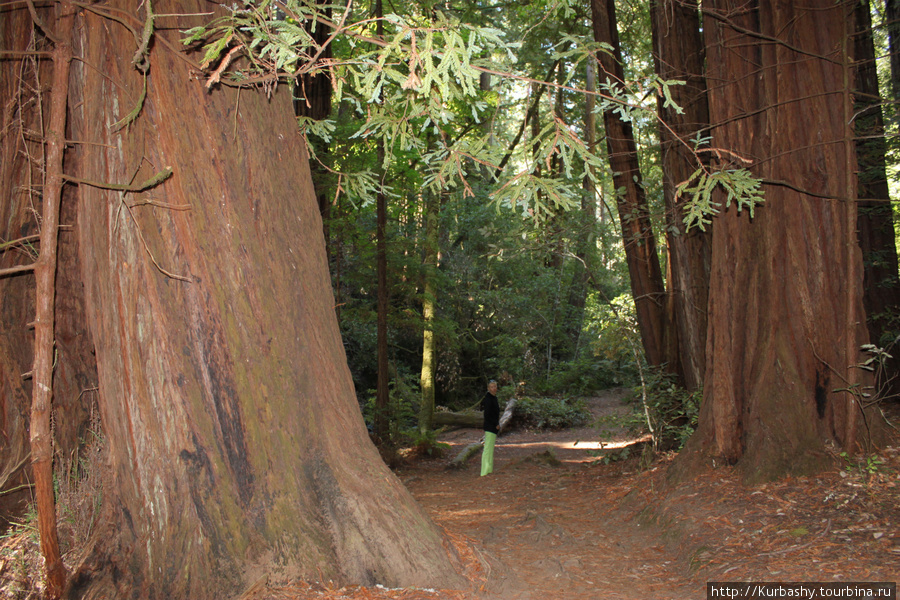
<point x="881" y="295"/>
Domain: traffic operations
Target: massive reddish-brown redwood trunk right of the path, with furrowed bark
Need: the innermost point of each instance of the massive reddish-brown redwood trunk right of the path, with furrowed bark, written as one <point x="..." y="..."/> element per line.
<point x="786" y="319"/>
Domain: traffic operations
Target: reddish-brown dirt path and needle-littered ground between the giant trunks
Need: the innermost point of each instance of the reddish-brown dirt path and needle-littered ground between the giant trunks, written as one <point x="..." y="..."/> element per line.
<point x="554" y="523"/>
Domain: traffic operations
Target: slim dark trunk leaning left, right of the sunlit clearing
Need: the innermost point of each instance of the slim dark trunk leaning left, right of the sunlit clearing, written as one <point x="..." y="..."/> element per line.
<point x="637" y="232"/>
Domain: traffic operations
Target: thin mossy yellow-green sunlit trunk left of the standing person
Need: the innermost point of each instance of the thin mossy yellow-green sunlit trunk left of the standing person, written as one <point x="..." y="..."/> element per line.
<point x="429" y="303"/>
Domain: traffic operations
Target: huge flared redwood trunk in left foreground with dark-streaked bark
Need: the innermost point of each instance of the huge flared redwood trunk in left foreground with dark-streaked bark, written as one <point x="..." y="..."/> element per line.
<point x="236" y="444"/>
